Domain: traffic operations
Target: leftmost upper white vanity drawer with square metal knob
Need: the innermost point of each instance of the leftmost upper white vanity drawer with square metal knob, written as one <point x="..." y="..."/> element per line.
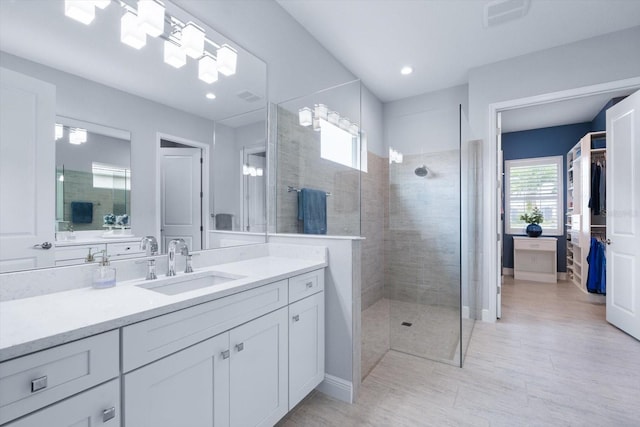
<point x="31" y="382"/>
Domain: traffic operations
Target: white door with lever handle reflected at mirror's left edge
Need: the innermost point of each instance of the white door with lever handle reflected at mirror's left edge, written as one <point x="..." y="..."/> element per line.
<point x="27" y="187"/>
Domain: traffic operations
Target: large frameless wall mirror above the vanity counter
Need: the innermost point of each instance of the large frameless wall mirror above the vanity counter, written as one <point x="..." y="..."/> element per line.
<point x="95" y="78"/>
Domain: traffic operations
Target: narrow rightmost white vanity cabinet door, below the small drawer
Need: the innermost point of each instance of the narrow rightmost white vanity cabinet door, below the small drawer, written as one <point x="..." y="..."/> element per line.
<point x="306" y="347"/>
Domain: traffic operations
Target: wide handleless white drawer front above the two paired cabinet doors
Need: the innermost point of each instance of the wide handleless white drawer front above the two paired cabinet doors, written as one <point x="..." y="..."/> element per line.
<point x="152" y="339"/>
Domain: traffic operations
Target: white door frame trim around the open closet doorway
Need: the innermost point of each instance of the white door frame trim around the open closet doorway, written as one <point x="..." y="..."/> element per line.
<point x="550" y="100"/>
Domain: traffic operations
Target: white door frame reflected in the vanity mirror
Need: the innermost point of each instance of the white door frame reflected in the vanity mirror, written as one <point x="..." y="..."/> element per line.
<point x="205" y="182"/>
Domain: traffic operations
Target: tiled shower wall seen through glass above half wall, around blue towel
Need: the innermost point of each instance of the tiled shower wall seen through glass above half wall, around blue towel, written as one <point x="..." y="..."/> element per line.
<point x="299" y="165"/>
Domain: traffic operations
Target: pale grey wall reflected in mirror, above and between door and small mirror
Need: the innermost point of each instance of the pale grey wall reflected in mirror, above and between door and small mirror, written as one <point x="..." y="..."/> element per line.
<point x="85" y="100"/>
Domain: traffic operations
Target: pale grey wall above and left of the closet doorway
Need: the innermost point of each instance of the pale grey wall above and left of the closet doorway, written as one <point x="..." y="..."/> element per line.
<point x="588" y="62"/>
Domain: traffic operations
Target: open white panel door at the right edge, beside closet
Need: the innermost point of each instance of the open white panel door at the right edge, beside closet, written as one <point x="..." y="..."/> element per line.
<point x="623" y="215"/>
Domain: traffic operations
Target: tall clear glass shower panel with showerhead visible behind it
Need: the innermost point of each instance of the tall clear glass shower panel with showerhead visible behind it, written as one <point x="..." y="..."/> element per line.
<point x="423" y="236"/>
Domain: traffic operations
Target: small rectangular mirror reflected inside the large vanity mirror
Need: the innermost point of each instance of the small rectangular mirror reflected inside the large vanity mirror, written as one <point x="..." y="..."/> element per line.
<point x="93" y="179"/>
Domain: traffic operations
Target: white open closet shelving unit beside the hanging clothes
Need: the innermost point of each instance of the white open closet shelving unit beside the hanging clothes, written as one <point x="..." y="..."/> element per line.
<point x="580" y="223"/>
